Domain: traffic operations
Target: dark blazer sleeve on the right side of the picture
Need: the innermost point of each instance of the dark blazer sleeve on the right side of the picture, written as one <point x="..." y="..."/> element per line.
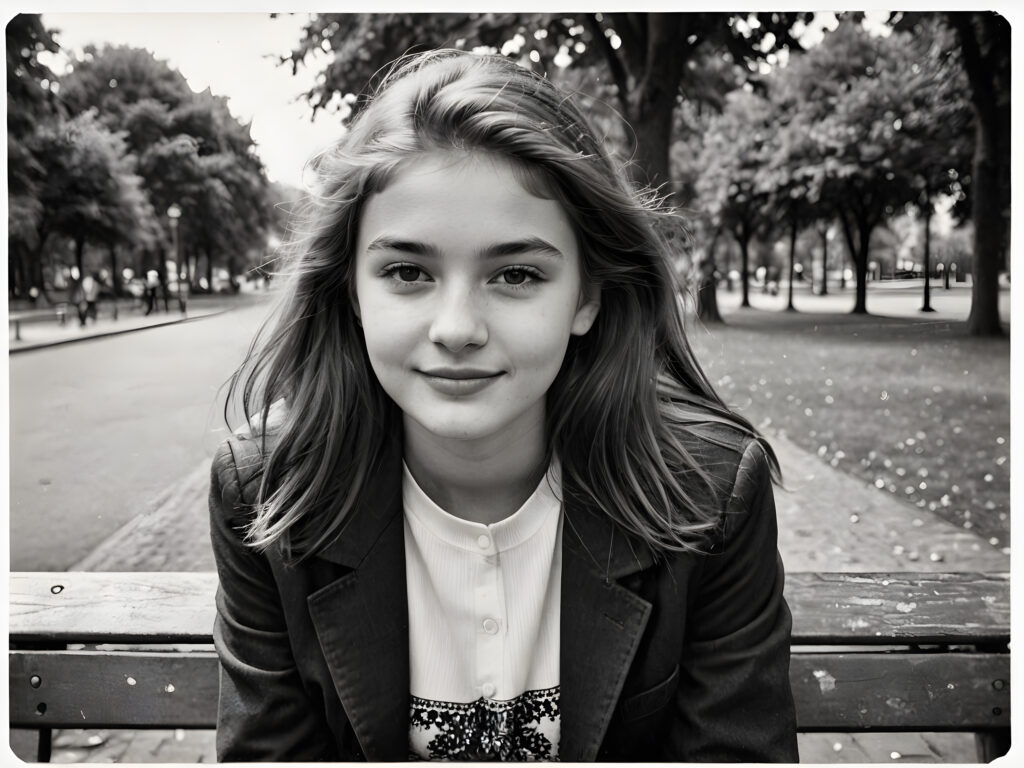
<point x="735" y="702"/>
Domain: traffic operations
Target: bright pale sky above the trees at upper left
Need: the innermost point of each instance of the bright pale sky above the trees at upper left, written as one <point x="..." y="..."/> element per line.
<point x="231" y="54"/>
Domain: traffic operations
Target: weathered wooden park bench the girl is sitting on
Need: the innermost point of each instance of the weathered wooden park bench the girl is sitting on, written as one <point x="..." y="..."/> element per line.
<point x="872" y="653"/>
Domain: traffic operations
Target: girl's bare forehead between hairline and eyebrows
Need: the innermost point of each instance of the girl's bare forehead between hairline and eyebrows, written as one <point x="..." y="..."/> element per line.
<point x="447" y="197"/>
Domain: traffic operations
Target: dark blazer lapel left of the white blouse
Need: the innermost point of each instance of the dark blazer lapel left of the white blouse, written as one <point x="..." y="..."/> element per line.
<point x="362" y="619"/>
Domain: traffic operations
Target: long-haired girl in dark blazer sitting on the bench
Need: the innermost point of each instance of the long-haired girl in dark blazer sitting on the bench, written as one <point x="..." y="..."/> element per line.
<point x="488" y="506"/>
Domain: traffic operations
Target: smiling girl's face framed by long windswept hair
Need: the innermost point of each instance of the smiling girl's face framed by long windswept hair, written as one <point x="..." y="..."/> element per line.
<point x="468" y="289"/>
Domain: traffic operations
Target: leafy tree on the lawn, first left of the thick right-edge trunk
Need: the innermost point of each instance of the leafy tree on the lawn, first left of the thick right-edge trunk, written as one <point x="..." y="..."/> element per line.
<point x="858" y="93"/>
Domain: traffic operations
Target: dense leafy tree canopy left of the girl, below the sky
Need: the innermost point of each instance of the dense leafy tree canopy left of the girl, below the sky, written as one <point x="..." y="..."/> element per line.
<point x="126" y="140"/>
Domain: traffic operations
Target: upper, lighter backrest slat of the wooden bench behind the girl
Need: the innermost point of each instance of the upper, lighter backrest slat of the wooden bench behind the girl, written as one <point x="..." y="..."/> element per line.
<point x="828" y="609"/>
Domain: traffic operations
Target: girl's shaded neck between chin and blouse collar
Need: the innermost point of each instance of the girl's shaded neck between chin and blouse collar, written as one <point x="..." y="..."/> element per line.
<point x="483" y="481"/>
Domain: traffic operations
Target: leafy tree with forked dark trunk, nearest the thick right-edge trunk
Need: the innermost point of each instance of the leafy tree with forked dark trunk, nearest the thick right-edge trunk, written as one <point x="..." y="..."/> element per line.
<point x="868" y="127"/>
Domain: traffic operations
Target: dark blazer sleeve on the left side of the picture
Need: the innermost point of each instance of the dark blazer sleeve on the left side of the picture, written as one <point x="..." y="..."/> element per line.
<point x="264" y="713"/>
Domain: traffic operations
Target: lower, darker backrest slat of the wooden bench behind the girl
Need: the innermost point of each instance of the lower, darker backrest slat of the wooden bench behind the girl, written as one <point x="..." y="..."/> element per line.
<point x="834" y="693"/>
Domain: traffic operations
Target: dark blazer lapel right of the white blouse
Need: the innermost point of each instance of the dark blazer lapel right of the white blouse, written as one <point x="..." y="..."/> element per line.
<point x="602" y="626"/>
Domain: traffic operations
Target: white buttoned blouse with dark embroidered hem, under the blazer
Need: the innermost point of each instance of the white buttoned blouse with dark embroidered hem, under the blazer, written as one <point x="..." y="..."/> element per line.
<point x="484" y="628"/>
